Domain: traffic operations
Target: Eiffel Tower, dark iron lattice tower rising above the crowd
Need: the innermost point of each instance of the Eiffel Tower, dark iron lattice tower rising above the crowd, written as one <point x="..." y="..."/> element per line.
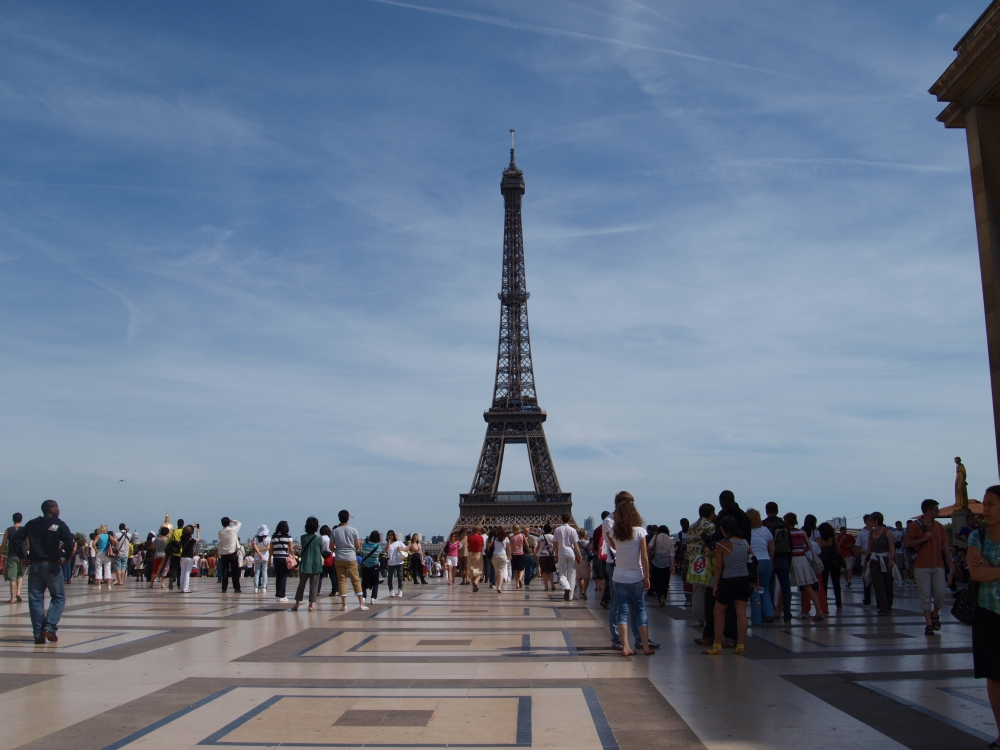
<point x="514" y="416"/>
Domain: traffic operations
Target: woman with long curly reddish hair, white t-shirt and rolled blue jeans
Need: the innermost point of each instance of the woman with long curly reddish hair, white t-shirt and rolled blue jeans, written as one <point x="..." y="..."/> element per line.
<point x="631" y="576"/>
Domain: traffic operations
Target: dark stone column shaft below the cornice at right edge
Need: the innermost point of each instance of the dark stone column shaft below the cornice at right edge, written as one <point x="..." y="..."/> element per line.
<point x="982" y="128"/>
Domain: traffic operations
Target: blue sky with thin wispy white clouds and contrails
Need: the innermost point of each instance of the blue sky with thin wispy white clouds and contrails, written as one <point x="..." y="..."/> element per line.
<point x="249" y="256"/>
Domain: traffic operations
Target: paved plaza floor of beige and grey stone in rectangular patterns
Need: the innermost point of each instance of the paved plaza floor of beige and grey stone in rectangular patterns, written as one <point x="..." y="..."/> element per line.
<point x="443" y="667"/>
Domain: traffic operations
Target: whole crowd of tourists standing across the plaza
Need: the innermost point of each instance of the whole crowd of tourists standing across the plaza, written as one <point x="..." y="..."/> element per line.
<point x="736" y="567"/>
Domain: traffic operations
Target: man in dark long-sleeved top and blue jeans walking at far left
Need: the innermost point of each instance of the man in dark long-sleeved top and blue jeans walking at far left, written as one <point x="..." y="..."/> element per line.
<point x="49" y="544"/>
